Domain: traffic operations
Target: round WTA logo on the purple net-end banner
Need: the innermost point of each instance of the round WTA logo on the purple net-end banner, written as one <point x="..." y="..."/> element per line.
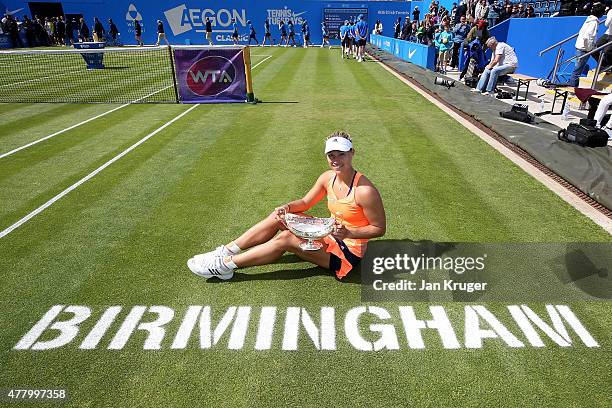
<point x="210" y="76"/>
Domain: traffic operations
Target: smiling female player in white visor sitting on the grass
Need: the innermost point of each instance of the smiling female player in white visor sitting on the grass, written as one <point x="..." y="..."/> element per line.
<point x="351" y="198"/>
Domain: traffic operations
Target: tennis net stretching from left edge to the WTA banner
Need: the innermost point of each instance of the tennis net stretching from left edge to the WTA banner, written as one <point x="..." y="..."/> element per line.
<point x="109" y="75"/>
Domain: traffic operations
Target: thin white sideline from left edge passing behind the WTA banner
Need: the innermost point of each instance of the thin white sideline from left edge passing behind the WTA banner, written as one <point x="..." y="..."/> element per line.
<point x="57" y="197"/>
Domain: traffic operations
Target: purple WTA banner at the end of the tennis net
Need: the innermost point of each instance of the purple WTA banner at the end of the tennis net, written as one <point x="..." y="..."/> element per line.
<point x="210" y="75"/>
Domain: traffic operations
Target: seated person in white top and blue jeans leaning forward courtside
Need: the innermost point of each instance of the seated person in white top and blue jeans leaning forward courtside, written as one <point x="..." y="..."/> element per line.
<point x="504" y="62"/>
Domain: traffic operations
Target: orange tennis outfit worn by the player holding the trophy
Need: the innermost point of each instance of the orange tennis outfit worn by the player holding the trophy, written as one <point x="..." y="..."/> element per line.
<point x="352" y="216"/>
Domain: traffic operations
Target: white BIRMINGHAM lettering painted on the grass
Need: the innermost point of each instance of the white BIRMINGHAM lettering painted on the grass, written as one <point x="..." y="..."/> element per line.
<point x="362" y="328"/>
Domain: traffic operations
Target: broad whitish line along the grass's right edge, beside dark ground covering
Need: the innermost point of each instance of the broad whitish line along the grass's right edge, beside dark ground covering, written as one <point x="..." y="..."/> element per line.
<point x="567" y="196"/>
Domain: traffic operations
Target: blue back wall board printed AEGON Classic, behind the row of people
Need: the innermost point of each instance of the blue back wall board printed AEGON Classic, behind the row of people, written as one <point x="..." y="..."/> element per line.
<point x="184" y="20"/>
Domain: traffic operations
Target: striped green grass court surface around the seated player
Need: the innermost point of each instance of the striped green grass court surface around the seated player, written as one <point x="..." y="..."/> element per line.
<point x="122" y="238"/>
